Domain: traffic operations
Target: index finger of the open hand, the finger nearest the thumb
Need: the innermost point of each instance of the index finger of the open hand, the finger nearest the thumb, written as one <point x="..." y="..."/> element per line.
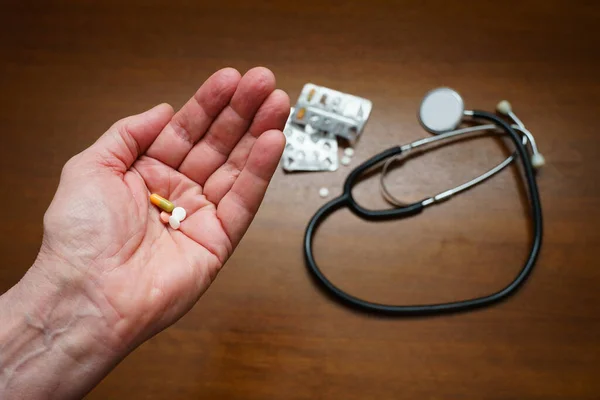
<point x="195" y="117"/>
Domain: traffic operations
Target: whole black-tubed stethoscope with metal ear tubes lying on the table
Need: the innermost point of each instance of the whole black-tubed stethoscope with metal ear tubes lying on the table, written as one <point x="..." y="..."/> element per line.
<point x="441" y="112"/>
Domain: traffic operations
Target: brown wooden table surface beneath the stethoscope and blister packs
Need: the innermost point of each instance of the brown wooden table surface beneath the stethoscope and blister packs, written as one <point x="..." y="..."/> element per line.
<point x="264" y="330"/>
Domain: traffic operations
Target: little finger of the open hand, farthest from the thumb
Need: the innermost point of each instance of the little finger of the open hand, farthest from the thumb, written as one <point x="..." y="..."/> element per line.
<point x="238" y="207"/>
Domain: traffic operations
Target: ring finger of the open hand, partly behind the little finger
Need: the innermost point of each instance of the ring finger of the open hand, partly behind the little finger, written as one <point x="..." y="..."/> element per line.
<point x="271" y="115"/>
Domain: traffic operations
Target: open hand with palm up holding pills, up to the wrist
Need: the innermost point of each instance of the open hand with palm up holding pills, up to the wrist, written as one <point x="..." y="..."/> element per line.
<point x="214" y="157"/>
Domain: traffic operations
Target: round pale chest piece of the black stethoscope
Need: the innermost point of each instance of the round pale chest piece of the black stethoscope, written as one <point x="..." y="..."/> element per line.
<point x="441" y="110"/>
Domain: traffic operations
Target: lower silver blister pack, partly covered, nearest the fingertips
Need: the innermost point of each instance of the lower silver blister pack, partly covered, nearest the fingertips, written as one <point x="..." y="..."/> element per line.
<point x="316" y="151"/>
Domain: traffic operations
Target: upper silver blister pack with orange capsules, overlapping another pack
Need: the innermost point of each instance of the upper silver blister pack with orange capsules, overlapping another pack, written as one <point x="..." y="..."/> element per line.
<point x="328" y="110"/>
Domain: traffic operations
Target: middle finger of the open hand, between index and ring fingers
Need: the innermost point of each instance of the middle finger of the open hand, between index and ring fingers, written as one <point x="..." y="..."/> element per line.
<point x="213" y="150"/>
